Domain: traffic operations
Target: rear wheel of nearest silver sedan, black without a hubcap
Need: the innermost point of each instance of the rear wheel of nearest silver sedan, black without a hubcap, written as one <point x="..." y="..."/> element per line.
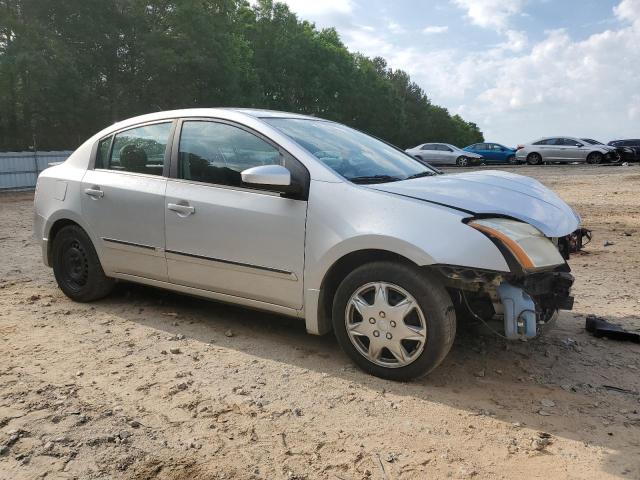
<point x="76" y="266"/>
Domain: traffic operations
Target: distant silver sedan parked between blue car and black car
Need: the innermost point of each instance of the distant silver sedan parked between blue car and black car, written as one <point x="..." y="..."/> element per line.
<point x="565" y="149"/>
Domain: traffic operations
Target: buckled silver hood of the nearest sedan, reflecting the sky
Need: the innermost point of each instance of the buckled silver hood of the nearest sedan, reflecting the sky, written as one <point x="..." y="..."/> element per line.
<point x="493" y="192"/>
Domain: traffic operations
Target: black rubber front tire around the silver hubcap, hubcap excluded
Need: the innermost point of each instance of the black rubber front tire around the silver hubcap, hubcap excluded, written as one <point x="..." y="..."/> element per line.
<point x="433" y="300"/>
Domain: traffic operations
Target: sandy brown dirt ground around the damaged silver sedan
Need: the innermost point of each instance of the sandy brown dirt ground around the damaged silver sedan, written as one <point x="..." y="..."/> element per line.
<point x="152" y="384"/>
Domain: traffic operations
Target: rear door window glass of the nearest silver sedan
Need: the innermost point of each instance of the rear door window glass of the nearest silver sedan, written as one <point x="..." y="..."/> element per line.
<point x="139" y="150"/>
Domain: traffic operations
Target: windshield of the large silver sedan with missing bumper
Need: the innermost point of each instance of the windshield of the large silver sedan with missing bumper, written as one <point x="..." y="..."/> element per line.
<point x="350" y="153"/>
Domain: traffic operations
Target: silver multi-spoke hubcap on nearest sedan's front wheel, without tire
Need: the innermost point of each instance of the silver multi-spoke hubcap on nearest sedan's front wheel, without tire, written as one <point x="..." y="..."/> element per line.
<point x="386" y="324"/>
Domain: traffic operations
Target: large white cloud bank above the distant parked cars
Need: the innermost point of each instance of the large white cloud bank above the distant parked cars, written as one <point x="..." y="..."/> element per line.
<point x="520" y="89"/>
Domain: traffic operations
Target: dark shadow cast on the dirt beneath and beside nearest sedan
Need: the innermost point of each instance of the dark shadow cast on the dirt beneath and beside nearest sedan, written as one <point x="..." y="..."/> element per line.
<point x="585" y="378"/>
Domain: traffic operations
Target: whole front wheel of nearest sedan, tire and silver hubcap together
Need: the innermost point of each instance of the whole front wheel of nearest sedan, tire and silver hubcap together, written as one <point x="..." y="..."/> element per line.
<point x="393" y="320"/>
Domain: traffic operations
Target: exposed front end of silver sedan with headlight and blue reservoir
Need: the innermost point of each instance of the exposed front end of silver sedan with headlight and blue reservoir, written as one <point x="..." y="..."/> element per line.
<point x="521" y="302"/>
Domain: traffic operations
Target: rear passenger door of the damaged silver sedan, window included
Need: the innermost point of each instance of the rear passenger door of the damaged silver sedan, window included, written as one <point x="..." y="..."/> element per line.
<point x="123" y="200"/>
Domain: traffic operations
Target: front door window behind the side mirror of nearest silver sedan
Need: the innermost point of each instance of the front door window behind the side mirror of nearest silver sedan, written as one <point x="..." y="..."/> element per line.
<point x="217" y="153"/>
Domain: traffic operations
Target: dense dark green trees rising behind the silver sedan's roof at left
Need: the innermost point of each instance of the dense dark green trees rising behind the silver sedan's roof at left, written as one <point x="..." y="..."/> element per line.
<point x="71" y="67"/>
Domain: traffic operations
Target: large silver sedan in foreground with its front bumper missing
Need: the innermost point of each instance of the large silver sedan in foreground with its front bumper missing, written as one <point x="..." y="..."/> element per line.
<point x="307" y="218"/>
